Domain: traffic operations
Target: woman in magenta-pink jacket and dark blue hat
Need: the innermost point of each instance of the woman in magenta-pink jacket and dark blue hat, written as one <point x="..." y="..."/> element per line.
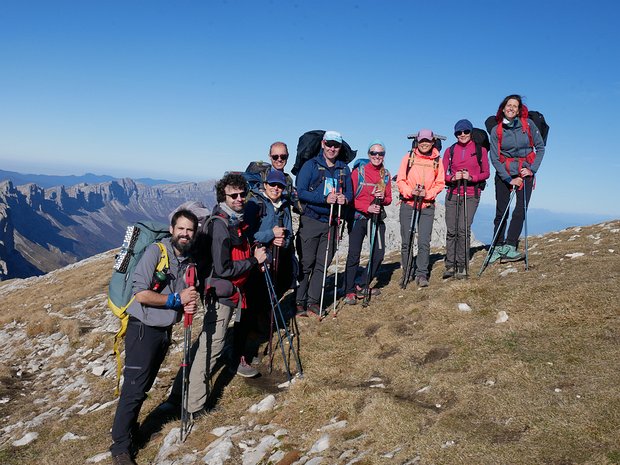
<point x="467" y="168"/>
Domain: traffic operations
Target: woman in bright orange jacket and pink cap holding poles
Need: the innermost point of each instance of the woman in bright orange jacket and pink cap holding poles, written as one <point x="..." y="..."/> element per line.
<point x="420" y="179"/>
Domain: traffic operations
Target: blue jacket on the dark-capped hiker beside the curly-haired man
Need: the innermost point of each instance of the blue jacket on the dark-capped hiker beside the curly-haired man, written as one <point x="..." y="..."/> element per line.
<point x="261" y="216"/>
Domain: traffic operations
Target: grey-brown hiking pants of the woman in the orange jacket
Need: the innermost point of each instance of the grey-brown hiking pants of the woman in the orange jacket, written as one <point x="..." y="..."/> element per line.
<point x="424" y="230"/>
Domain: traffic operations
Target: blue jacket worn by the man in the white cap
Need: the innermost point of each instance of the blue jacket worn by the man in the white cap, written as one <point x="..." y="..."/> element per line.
<point x="311" y="185"/>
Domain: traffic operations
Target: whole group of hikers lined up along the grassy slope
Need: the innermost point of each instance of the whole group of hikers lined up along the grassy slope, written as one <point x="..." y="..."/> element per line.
<point x="247" y="255"/>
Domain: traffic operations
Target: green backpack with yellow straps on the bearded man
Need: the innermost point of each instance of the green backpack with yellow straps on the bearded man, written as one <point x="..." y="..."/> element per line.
<point x="120" y="294"/>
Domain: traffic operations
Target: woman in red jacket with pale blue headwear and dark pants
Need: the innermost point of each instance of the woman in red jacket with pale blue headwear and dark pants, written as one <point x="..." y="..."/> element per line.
<point x="372" y="187"/>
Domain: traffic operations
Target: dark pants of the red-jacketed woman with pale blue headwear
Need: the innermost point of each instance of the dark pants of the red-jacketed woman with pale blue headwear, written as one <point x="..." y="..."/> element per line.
<point x="356" y="240"/>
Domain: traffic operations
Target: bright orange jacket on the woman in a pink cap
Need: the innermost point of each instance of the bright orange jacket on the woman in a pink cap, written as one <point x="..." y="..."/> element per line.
<point x="424" y="170"/>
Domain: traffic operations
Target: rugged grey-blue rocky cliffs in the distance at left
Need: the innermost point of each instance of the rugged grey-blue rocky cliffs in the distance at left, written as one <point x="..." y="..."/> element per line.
<point x="44" y="229"/>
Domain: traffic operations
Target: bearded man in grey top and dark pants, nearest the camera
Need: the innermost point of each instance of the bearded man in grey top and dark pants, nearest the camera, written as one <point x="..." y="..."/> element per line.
<point x="151" y="316"/>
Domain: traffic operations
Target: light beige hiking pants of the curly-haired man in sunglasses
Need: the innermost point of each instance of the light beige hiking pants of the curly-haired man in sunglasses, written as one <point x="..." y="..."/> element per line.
<point x="208" y="348"/>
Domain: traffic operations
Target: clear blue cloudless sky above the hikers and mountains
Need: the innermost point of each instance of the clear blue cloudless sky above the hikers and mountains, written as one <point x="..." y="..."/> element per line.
<point x="185" y="90"/>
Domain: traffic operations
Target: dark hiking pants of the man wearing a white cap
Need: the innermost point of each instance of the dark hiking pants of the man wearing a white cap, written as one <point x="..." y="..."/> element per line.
<point x="313" y="239"/>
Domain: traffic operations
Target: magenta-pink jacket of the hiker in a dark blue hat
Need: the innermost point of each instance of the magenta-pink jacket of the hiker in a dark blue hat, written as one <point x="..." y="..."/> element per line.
<point x="465" y="158"/>
